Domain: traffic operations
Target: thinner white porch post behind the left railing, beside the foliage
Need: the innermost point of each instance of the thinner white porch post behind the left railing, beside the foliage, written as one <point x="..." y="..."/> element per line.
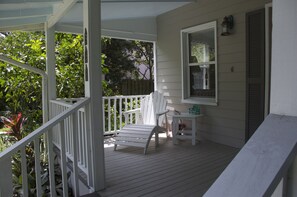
<point x="50" y="64"/>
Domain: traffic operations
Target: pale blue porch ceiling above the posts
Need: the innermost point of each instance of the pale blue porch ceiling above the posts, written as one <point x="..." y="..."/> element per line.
<point x="120" y="18"/>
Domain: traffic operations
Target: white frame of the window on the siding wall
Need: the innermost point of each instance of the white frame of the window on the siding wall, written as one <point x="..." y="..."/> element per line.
<point x="186" y="98"/>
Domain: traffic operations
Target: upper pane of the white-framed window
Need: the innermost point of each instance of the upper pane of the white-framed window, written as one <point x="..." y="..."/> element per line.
<point x="201" y="46"/>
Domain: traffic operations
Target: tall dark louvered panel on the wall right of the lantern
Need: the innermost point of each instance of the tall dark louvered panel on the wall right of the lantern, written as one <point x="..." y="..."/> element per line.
<point x="255" y="70"/>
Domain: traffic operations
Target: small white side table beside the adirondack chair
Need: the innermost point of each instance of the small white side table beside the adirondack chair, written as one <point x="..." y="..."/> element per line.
<point x="186" y="134"/>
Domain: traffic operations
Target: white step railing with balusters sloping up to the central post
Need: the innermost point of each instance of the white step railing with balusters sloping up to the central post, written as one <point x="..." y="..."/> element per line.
<point x="63" y="121"/>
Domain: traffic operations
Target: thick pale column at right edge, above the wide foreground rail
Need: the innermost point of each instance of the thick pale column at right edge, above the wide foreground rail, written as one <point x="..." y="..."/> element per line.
<point x="284" y="69"/>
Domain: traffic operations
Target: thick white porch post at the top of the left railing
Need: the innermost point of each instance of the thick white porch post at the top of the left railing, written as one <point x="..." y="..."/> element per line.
<point x="93" y="89"/>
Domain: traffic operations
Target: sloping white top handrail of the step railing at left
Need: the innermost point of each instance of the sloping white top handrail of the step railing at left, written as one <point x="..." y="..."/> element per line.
<point x="41" y="130"/>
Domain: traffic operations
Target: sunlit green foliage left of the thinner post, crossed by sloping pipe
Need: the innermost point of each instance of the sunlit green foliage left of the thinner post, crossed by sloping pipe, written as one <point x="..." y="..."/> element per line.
<point x="21" y="89"/>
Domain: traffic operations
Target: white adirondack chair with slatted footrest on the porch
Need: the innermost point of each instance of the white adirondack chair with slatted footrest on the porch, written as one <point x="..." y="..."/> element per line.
<point x="149" y="117"/>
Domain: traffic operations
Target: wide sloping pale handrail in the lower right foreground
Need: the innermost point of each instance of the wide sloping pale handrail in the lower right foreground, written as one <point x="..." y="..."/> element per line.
<point x="262" y="163"/>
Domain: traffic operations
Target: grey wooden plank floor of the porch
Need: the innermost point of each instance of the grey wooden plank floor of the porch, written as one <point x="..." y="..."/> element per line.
<point x="169" y="170"/>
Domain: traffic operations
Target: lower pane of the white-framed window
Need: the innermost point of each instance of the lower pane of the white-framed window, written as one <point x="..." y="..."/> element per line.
<point x="202" y="81"/>
